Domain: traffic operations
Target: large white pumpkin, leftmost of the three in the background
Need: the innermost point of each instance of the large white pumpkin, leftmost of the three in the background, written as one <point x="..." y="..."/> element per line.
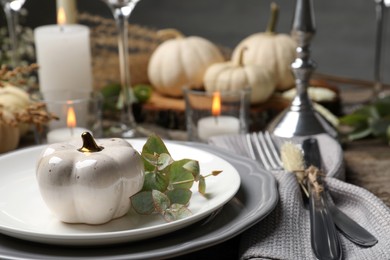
<point x="181" y="62"/>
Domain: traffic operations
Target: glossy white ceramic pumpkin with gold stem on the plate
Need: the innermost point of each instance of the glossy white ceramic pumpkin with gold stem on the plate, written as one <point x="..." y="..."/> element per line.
<point x="92" y="184"/>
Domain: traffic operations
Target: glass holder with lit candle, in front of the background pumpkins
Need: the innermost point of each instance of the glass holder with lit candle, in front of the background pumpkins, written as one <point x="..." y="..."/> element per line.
<point x="217" y="113"/>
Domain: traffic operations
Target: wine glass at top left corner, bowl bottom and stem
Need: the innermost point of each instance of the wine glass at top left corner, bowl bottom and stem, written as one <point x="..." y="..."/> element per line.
<point x="11" y="9"/>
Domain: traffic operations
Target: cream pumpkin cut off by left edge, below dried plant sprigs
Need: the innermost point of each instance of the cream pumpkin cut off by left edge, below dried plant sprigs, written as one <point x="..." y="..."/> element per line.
<point x="9" y="131"/>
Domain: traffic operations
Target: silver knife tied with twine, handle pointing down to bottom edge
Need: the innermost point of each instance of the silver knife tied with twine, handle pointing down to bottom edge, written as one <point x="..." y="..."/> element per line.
<point x="324" y="238"/>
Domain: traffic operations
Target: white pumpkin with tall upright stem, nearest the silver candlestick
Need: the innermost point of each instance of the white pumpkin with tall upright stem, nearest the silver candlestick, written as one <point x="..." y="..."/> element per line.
<point x="276" y="51"/>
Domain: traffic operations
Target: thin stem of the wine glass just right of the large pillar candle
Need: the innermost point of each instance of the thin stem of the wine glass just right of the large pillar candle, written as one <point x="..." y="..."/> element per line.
<point x="121" y="17"/>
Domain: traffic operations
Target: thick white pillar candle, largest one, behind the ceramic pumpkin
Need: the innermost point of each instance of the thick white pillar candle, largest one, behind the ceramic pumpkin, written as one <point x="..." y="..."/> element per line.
<point x="64" y="57"/>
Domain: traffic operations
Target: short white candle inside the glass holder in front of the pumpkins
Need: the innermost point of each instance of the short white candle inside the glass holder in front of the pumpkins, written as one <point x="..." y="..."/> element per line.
<point x="219" y="125"/>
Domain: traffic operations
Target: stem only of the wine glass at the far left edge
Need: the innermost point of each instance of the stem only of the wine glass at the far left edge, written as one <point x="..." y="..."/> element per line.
<point x="12" y="21"/>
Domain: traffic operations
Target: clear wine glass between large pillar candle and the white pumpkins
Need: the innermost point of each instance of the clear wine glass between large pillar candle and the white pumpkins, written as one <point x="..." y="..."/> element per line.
<point x="121" y="10"/>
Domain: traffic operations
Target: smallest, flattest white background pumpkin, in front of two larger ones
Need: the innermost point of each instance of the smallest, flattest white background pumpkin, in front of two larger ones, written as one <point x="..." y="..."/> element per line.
<point x="233" y="75"/>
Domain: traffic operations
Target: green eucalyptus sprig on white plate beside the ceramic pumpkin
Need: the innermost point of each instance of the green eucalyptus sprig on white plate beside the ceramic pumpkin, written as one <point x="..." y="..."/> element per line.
<point x="167" y="185"/>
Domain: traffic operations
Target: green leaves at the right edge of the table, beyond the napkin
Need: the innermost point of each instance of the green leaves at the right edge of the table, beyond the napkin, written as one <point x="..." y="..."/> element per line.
<point x="372" y="120"/>
